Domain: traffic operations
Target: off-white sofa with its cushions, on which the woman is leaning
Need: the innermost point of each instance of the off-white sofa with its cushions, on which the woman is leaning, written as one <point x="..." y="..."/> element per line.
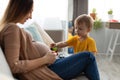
<point x="38" y="34"/>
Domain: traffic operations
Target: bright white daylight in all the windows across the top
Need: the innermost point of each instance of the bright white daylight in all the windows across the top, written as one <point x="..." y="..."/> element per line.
<point x="59" y="8"/>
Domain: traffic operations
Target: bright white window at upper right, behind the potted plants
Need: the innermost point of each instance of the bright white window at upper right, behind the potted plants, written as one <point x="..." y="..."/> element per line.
<point x="102" y="6"/>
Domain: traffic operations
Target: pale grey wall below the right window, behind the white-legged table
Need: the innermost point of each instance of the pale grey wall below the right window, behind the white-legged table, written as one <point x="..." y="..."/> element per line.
<point x="102" y="37"/>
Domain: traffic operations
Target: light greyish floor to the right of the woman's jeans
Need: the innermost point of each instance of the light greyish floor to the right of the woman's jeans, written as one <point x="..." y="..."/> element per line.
<point x="109" y="70"/>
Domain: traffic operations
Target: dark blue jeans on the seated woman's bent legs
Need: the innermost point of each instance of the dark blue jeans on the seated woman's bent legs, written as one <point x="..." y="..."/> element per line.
<point x="72" y="66"/>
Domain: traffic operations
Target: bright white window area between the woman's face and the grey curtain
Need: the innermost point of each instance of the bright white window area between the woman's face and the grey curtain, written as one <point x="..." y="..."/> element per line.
<point x="44" y="9"/>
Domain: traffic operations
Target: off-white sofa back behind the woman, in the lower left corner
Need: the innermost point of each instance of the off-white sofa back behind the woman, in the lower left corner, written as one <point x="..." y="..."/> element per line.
<point x="4" y="68"/>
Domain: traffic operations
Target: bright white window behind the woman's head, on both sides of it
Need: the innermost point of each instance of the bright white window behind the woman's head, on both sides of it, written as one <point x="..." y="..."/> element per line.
<point x="44" y="8"/>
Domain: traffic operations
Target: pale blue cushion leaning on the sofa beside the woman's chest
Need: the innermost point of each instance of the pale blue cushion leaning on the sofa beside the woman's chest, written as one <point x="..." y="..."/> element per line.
<point x="34" y="32"/>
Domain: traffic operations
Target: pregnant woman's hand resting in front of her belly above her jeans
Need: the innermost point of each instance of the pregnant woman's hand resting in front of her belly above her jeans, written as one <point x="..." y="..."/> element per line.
<point x="50" y="57"/>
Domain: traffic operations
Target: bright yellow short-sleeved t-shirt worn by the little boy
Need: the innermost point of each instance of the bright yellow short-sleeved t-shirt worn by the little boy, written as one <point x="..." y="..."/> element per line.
<point x="88" y="44"/>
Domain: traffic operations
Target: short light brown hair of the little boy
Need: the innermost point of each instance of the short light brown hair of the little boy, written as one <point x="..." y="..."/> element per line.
<point x="84" y="18"/>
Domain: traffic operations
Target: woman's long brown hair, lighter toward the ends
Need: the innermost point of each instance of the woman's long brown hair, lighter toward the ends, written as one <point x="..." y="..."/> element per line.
<point x="16" y="10"/>
